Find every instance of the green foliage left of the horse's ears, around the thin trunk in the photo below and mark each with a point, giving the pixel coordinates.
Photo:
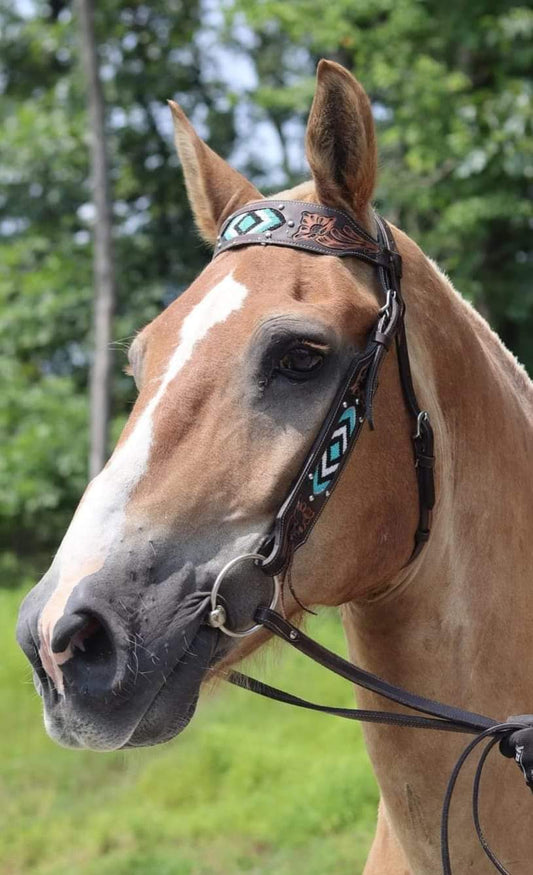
(148, 53)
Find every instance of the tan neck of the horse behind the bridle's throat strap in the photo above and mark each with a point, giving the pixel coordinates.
(457, 625)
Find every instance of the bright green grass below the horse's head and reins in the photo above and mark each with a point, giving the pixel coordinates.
(251, 786)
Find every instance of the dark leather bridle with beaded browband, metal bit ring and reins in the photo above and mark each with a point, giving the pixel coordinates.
(322, 230)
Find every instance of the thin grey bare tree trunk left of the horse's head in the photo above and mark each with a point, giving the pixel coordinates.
(104, 270)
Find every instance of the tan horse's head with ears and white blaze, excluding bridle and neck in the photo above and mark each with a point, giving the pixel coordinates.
(234, 380)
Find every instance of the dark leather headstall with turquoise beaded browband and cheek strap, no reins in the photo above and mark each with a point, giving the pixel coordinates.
(327, 231)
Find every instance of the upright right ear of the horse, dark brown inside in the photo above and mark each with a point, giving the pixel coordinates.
(340, 140)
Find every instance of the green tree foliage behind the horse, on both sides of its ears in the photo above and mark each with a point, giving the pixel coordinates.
(452, 98)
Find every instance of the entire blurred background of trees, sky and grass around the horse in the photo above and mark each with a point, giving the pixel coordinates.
(250, 787)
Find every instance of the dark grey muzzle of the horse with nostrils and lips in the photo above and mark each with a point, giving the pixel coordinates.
(113, 675)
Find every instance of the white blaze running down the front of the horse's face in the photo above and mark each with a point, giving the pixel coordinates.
(99, 520)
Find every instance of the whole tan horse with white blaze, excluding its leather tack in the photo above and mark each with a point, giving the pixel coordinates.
(234, 380)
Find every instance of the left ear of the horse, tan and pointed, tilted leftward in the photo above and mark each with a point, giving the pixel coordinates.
(214, 188)
